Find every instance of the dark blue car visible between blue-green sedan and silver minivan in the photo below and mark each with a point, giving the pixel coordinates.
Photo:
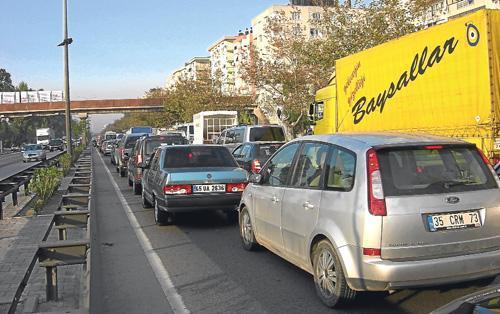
(252, 156)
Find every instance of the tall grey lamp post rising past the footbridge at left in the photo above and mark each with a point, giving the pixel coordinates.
(66, 42)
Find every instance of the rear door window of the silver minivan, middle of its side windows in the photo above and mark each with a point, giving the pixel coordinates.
(310, 165)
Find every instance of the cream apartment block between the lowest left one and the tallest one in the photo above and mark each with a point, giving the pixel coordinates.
(222, 63)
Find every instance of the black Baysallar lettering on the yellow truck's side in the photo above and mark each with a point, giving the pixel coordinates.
(421, 62)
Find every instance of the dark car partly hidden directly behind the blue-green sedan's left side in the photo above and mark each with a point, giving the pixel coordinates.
(143, 149)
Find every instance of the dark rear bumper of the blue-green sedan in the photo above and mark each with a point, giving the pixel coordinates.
(193, 202)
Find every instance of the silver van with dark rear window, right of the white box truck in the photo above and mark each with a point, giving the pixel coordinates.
(234, 136)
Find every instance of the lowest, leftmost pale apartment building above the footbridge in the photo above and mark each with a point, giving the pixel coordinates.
(195, 69)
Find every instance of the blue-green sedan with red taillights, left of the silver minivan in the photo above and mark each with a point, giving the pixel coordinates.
(186, 178)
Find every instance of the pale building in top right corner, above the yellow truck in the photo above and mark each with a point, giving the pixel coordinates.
(440, 11)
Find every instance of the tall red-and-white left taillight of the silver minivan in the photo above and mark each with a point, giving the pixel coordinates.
(376, 200)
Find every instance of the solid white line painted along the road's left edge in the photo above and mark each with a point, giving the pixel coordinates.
(174, 298)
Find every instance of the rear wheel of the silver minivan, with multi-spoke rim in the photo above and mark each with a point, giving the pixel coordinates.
(329, 278)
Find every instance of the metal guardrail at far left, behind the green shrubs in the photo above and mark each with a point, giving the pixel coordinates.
(11, 184)
